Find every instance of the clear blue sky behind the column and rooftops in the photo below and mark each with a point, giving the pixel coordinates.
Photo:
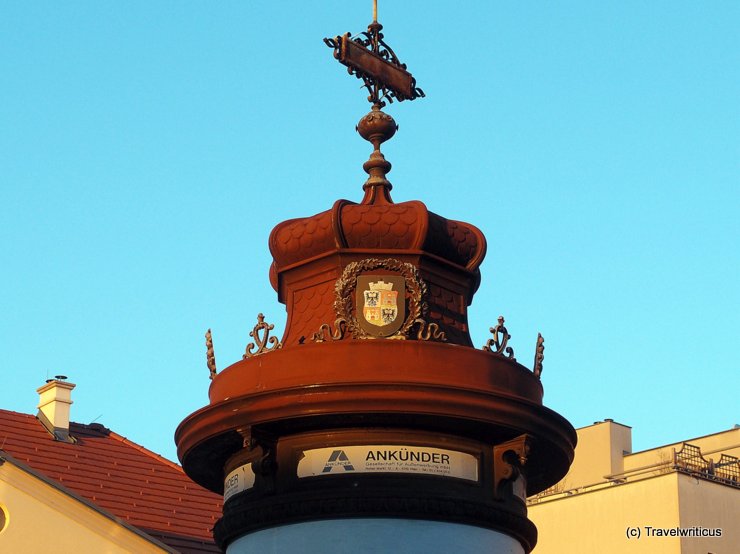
(148, 148)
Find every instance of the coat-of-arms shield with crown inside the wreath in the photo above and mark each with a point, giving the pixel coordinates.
(381, 303)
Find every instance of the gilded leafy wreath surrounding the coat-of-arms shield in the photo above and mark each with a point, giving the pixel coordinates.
(344, 303)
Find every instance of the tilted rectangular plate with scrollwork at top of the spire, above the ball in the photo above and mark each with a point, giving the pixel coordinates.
(368, 57)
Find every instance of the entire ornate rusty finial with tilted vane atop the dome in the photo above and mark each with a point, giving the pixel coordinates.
(369, 58)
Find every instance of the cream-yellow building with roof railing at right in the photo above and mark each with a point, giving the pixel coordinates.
(681, 498)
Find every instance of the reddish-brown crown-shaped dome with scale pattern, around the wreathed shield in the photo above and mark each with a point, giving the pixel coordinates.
(314, 250)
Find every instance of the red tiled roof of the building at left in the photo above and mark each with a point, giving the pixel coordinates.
(134, 484)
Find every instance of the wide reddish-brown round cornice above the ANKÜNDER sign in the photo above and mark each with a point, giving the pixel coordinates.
(425, 386)
